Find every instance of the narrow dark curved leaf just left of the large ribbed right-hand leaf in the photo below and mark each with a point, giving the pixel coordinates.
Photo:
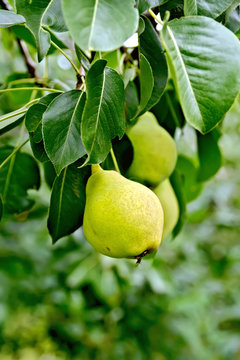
(151, 48)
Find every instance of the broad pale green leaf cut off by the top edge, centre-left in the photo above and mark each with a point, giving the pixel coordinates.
(101, 25)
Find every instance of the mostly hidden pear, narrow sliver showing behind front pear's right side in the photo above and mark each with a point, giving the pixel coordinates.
(168, 199)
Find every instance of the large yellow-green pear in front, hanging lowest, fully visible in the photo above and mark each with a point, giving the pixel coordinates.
(122, 218)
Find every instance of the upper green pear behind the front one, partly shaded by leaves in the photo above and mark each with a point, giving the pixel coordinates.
(155, 152)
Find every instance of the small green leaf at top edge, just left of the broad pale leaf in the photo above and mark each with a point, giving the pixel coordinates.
(53, 17)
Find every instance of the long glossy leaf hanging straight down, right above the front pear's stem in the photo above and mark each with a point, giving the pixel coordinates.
(103, 116)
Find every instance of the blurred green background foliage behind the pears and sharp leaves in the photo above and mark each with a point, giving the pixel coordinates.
(67, 302)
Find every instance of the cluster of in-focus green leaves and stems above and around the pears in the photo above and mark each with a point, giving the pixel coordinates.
(184, 68)
